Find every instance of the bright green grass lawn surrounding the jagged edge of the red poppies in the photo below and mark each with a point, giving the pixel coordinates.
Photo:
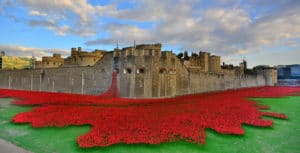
(283, 137)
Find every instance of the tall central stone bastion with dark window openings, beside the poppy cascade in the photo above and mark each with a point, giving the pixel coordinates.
(151, 76)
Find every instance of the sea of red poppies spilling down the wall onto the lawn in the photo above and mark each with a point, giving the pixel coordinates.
(152, 121)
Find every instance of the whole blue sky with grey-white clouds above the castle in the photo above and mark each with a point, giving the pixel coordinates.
(261, 31)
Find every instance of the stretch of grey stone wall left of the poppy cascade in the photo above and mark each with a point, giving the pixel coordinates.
(88, 80)
